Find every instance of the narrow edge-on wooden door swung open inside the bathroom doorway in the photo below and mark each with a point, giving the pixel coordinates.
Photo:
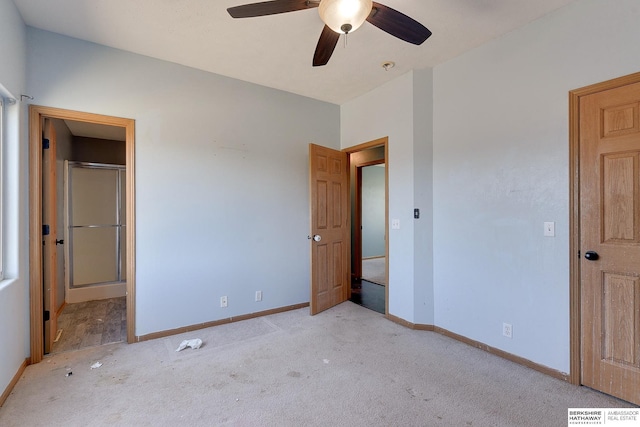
(49, 219)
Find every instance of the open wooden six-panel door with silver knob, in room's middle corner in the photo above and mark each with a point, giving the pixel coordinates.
(330, 227)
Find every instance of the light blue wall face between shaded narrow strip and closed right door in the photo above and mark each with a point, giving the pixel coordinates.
(501, 170)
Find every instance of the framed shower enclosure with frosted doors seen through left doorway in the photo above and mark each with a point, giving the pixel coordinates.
(95, 231)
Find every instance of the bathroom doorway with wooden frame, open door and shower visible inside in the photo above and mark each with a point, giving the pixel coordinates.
(64, 142)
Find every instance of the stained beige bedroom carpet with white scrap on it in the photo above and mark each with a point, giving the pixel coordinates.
(347, 366)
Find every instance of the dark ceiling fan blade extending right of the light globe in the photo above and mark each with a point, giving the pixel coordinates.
(398, 24)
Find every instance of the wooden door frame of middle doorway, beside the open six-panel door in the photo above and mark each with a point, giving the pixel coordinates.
(380, 142)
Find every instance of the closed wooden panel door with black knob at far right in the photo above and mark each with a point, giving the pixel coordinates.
(610, 241)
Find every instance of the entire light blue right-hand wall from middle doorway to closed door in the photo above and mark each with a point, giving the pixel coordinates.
(487, 162)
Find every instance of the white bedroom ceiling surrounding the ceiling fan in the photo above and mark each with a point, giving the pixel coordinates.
(276, 51)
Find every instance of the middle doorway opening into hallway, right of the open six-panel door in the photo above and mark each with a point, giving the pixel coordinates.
(369, 207)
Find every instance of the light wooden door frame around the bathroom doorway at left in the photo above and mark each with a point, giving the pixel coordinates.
(36, 120)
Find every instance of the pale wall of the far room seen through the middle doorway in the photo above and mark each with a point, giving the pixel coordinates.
(373, 210)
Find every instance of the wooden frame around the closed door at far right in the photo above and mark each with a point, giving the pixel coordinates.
(574, 215)
